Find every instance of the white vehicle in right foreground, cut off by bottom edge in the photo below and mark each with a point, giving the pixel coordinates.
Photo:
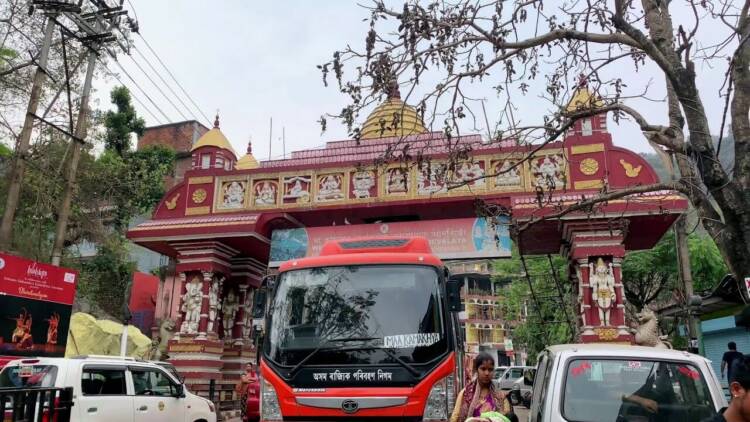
(620, 383)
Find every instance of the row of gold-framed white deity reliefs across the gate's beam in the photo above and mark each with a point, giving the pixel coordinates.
(481, 175)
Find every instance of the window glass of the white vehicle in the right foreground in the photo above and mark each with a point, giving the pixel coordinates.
(635, 390)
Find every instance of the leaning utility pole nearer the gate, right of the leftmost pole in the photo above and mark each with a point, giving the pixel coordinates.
(70, 174)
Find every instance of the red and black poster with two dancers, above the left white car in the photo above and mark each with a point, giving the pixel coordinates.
(36, 300)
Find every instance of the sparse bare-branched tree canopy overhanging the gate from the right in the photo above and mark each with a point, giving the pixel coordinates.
(450, 55)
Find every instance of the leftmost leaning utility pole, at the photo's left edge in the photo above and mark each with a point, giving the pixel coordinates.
(24, 140)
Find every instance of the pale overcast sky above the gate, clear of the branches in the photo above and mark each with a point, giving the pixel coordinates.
(255, 60)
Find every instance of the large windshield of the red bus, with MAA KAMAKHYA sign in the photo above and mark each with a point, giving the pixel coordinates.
(370, 314)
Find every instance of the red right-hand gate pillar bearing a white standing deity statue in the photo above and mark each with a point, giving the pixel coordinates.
(596, 257)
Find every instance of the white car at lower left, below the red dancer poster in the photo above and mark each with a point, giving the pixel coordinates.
(112, 389)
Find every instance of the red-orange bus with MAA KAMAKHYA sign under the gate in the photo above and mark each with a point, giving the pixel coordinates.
(368, 329)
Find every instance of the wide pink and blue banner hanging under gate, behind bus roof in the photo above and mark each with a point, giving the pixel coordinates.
(460, 238)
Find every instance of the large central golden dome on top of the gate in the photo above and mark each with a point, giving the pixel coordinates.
(380, 123)
